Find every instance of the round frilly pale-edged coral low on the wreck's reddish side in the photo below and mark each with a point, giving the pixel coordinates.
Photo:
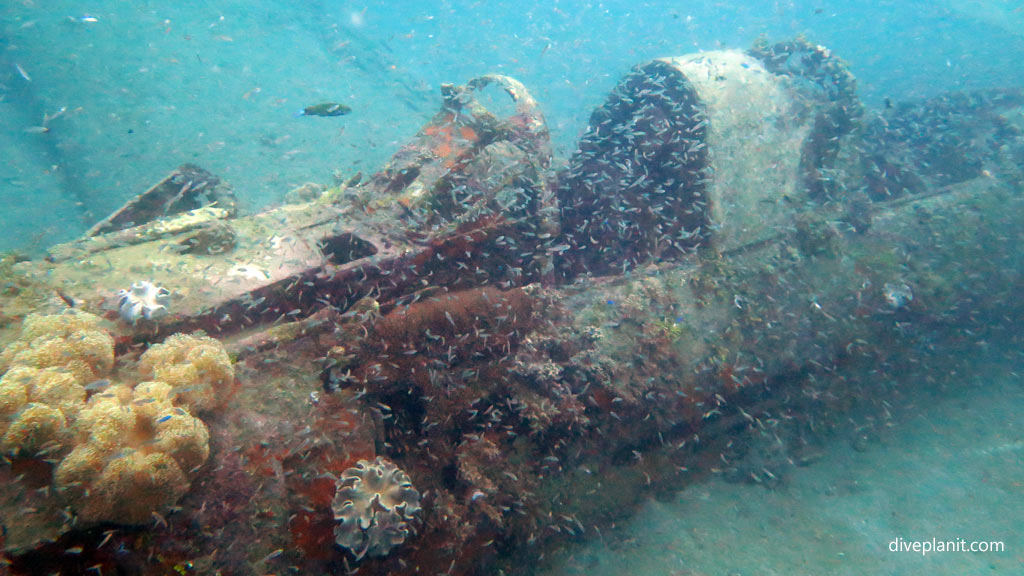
(375, 507)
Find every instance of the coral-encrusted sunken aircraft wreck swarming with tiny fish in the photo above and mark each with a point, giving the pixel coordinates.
(480, 354)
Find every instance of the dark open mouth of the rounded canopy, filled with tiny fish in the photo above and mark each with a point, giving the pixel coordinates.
(636, 187)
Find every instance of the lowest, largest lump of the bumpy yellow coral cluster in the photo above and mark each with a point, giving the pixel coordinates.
(137, 456)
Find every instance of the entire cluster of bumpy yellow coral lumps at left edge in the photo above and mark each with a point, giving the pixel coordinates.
(121, 452)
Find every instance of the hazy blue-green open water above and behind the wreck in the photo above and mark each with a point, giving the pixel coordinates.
(147, 87)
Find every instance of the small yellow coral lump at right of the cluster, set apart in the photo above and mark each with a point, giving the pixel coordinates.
(197, 367)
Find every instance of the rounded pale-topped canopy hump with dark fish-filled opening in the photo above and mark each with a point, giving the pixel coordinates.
(716, 149)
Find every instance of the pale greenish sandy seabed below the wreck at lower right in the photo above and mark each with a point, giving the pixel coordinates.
(952, 468)
